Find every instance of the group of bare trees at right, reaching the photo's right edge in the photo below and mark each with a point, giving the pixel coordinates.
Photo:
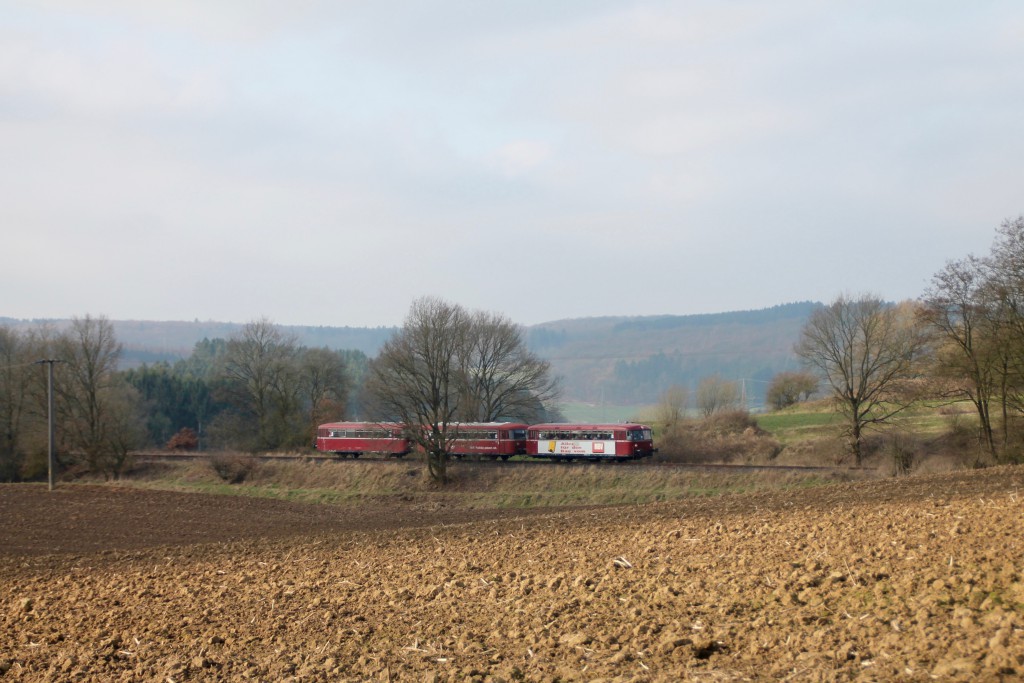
(963, 340)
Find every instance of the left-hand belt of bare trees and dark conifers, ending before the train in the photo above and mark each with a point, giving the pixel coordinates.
(258, 391)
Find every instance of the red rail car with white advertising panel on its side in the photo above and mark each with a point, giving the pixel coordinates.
(590, 442)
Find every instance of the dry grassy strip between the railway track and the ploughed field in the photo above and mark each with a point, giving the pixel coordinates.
(350, 483)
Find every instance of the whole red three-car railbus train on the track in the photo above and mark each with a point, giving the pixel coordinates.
(497, 440)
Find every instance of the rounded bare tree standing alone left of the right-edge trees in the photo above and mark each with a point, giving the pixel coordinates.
(868, 352)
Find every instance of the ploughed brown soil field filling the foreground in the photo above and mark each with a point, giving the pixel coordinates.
(901, 580)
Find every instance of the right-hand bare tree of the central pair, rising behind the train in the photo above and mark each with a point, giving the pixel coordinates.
(503, 379)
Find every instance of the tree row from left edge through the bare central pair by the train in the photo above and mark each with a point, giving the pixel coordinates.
(260, 391)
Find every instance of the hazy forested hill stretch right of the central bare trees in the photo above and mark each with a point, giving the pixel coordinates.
(631, 361)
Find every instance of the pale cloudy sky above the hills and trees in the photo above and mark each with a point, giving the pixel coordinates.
(328, 162)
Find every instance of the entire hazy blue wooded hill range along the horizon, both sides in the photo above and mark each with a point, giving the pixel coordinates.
(610, 361)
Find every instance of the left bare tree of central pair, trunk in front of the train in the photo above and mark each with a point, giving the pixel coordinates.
(416, 378)
